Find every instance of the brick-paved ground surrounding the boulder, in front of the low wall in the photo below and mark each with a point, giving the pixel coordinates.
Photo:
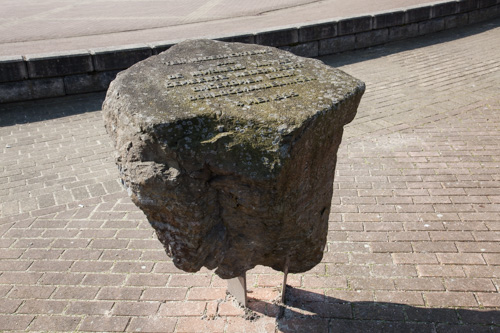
(414, 240)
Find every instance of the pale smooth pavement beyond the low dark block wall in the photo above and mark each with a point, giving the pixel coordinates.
(28, 27)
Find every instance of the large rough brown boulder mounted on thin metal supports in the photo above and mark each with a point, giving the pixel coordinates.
(238, 171)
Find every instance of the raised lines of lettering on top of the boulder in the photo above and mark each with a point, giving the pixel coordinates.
(231, 78)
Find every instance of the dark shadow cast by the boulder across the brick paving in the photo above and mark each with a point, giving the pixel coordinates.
(307, 311)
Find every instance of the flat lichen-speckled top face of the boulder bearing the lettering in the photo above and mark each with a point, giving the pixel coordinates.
(232, 81)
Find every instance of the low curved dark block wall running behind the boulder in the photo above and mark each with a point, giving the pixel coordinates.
(49, 75)
